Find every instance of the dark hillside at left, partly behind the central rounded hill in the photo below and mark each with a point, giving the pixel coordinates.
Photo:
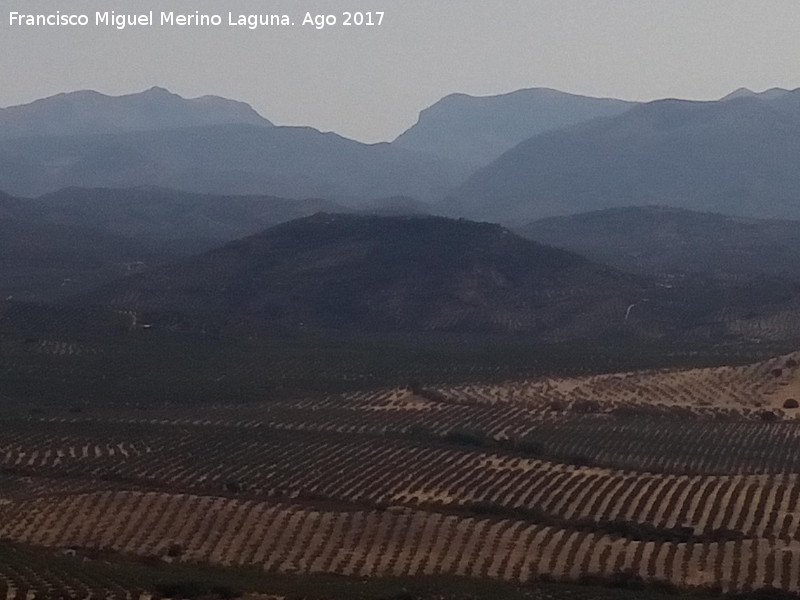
(75, 239)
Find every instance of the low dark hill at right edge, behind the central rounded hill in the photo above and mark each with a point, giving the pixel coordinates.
(670, 242)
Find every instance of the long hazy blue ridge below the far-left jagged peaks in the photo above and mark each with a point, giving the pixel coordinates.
(292, 162)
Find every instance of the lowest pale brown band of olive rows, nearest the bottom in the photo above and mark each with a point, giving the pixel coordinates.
(298, 539)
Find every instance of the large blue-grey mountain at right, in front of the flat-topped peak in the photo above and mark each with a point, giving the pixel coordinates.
(736, 157)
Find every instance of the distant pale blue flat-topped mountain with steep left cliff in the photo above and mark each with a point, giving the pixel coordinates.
(477, 130)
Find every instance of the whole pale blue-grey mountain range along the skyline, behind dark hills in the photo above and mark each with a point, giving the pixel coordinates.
(559, 153)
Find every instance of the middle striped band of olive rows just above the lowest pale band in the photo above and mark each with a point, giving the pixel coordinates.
(379, 473)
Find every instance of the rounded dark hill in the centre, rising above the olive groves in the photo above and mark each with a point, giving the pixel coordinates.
(386, 274)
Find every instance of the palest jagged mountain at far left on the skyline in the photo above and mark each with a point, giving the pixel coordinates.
(89, 112)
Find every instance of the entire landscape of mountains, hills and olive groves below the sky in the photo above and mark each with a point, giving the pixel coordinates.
(243, 360)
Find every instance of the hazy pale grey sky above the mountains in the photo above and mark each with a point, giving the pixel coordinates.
(369, 83)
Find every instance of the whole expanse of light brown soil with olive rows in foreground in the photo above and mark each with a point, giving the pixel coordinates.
(691, 477)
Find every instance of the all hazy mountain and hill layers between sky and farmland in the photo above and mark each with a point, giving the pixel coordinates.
(416, 274)
